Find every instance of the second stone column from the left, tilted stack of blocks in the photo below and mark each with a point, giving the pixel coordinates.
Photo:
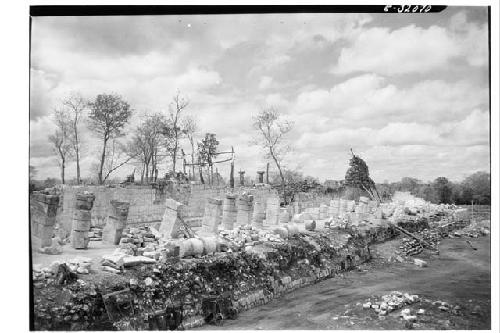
(82, 220)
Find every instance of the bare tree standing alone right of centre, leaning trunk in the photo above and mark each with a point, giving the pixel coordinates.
(271, 131)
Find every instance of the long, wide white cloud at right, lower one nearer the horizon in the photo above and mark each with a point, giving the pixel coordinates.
(372, 100)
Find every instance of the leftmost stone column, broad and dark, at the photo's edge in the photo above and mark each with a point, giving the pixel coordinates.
(43, 210)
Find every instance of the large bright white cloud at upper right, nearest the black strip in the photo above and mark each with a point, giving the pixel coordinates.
(413, 49)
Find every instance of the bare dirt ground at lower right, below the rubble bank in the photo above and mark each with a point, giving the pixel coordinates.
(459, 276)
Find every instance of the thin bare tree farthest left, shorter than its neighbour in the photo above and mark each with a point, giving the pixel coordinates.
(61, 139)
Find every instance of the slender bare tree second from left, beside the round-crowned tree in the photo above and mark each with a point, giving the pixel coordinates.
(75, 105)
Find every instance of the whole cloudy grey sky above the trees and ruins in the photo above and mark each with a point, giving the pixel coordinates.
(409, 93)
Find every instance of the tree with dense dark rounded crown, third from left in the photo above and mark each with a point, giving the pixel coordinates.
(108, 116)
